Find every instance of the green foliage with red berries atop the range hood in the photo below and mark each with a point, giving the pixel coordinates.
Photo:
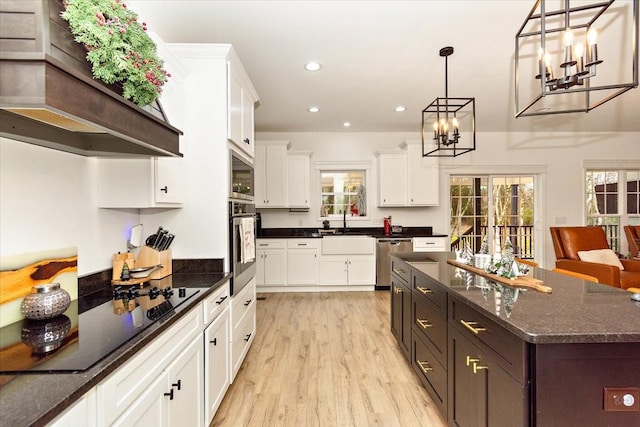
(119, 48)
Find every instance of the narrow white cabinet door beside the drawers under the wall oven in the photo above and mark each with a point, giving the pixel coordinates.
(216, 364)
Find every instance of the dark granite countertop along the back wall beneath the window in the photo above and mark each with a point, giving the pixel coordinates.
(377, 232)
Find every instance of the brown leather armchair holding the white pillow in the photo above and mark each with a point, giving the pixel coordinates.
(568, 241)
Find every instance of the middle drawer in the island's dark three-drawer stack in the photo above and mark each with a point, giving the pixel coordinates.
(431, 324)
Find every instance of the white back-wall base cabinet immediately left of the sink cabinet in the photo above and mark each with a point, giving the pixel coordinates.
(303, 263)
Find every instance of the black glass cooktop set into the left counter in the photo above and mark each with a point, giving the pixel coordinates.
(87, 332)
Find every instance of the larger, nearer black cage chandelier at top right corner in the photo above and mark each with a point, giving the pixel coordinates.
(570, 36)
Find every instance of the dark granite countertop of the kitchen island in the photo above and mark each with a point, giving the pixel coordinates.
(577, 311)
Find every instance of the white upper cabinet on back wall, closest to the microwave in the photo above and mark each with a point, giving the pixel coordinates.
(271, 174)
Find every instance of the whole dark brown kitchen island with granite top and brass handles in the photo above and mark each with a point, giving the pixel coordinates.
(496, 355)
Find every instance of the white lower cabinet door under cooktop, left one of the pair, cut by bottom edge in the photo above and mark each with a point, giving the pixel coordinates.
(150, 409)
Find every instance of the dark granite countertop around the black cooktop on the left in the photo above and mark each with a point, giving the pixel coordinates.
(34, 399)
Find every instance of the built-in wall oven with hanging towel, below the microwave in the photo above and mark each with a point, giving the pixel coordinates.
(242, 267)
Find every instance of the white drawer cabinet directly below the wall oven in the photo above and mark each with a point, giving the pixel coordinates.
(243, 325)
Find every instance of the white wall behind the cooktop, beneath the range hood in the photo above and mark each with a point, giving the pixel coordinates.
(48, 201)
